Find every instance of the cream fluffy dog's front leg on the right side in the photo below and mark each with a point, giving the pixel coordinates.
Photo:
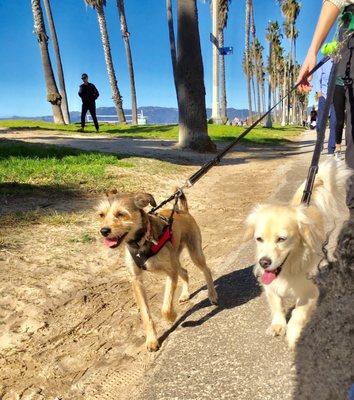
(300, 315)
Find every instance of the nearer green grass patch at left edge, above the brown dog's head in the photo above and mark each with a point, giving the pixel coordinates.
(26, 167)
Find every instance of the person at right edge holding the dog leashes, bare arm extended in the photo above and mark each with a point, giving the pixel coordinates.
(330, 11)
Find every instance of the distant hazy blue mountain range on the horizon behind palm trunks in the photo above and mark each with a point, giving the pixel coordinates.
(155, 115)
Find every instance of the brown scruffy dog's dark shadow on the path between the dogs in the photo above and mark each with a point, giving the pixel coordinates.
(234, 289)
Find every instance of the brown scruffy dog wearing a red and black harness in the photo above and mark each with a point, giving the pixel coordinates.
(124, 222)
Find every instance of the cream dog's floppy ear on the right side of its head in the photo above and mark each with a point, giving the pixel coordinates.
(311, 234)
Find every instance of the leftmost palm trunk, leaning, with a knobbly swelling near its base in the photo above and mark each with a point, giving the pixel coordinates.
(53, 95)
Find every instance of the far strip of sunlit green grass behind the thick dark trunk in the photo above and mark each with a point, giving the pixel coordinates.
(217, 132)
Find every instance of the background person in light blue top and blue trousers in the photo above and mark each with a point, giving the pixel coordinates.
(320, 85)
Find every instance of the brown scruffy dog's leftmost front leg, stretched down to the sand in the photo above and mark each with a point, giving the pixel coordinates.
(152, 343)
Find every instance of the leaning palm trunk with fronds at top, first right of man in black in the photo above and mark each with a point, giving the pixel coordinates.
(98, 5)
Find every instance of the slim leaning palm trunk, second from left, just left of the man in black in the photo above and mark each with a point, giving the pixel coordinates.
(62, 90)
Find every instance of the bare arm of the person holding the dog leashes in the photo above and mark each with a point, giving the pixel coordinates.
(329, 14)
